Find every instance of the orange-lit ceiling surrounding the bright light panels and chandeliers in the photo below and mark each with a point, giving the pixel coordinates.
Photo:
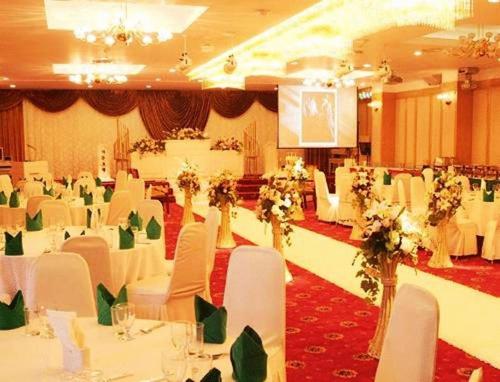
(29, 49)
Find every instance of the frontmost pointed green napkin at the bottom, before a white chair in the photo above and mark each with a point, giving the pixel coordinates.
(248, 357)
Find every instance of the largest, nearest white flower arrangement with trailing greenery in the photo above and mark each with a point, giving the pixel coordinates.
(390, 237)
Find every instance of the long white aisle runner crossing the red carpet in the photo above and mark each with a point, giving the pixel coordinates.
(468, 318)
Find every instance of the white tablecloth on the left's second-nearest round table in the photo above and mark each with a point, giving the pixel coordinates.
(127, 266)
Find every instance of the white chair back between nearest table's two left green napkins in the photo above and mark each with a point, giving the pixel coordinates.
(62, 281)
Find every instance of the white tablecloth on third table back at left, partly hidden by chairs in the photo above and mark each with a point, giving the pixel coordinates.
(17, 216)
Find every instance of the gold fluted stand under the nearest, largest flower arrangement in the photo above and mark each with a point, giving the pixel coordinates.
(389, 280)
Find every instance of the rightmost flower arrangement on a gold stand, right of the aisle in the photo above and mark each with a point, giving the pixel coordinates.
(445, 199)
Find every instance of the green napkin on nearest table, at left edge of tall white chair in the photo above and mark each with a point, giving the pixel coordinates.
(215, 320)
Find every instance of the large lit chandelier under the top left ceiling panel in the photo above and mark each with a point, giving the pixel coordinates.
(122, 29)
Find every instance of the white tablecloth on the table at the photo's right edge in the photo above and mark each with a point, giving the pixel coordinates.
(481, 212)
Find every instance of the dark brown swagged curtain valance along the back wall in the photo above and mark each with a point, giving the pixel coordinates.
(160, 110)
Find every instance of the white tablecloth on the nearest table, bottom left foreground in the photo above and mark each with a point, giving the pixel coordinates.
(34, 359)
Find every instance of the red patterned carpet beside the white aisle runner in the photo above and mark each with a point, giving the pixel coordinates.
(328, 328)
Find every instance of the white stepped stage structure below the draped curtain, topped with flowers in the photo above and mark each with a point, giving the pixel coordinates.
(168, 164)
